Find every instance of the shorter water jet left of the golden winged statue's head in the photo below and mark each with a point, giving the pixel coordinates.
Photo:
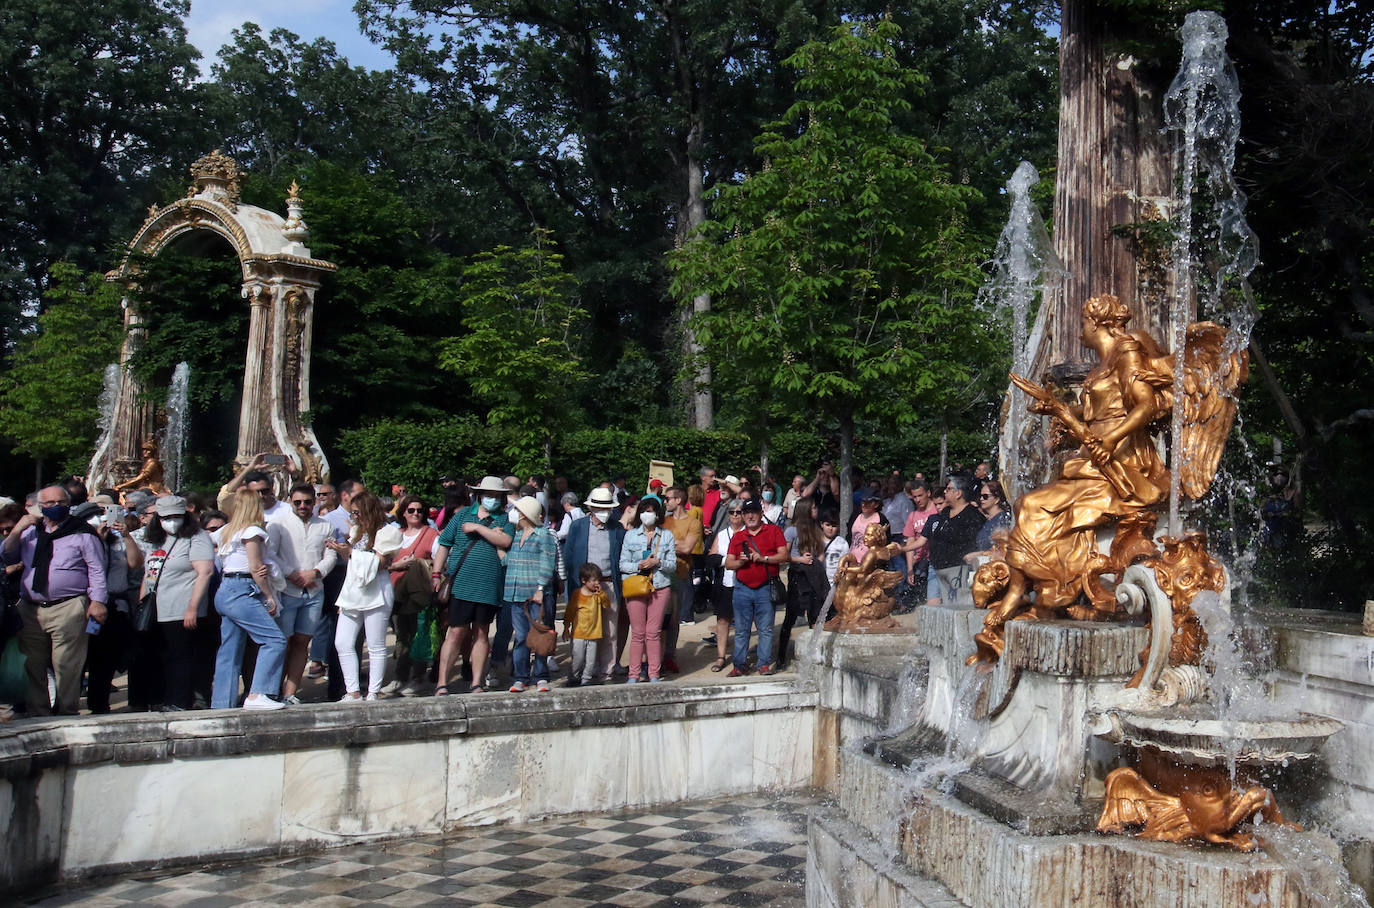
(1023, 258)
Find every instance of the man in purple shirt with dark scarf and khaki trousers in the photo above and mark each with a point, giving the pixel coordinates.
(63, 589)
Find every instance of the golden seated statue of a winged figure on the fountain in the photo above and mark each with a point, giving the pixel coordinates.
(1118, 477)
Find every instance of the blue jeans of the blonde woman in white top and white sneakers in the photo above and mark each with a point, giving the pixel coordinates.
(245, 616)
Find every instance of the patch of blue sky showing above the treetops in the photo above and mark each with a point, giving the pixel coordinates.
(211, 23)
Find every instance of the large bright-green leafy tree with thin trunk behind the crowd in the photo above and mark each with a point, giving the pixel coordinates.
(843, 258)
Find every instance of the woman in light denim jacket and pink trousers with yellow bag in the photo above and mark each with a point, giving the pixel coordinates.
(649, 550)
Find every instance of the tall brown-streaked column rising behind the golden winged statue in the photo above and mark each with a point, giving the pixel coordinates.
(1114, 170)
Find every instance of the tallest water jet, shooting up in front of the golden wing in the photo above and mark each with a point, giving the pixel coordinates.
(1215, 249)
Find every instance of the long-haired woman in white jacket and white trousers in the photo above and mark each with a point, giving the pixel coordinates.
(366, 600)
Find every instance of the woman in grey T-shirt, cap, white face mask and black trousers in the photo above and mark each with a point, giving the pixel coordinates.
(183, 587)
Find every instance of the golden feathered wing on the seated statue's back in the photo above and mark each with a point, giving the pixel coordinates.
(1211, 378)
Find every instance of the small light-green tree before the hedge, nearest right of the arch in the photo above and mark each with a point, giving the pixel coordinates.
(520, 351)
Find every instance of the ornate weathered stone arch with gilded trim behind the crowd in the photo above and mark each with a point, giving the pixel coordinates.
(281, 280)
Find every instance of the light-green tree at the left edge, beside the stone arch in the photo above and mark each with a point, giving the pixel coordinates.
(49, 396)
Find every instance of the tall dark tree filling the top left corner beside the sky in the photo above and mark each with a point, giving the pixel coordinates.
(94, 98)
